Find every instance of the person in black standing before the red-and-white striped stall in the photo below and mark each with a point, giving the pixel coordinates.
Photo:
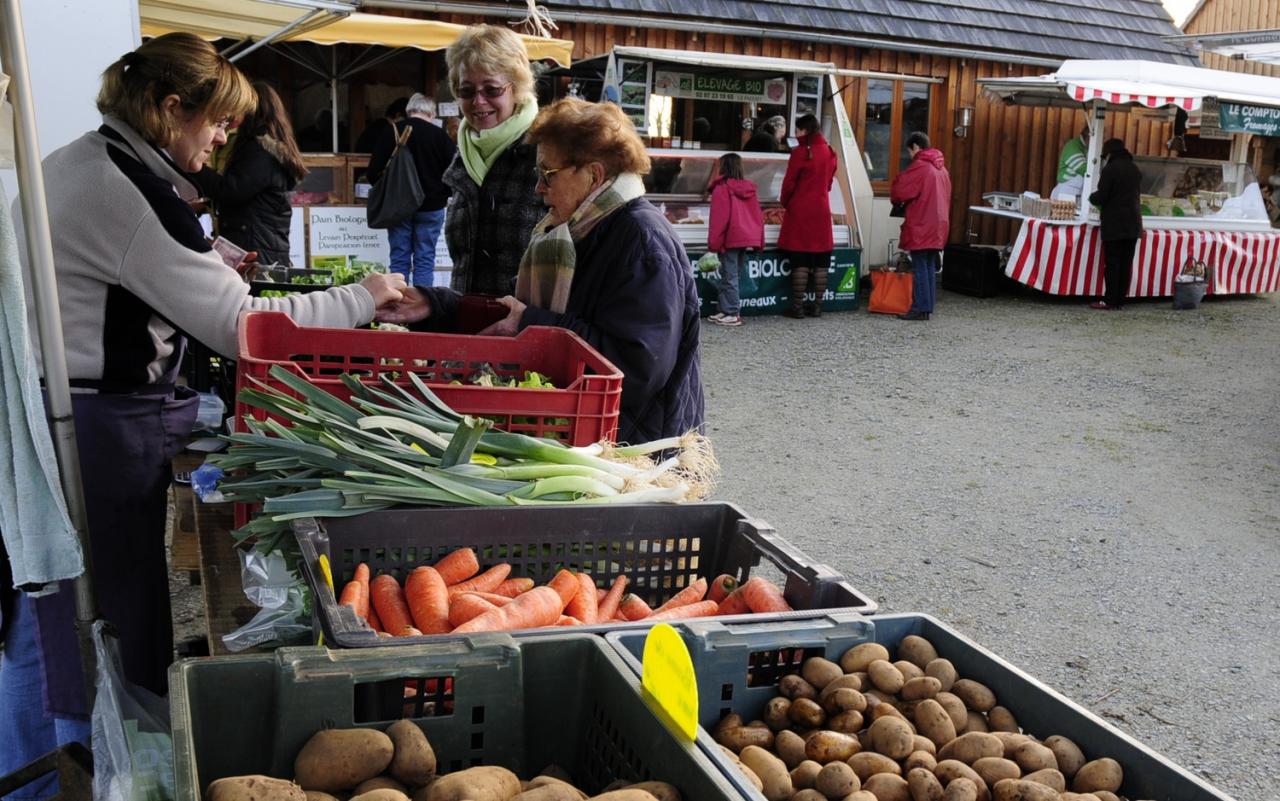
(1119, 198)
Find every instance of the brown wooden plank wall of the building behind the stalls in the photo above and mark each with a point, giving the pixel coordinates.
(1007, 149)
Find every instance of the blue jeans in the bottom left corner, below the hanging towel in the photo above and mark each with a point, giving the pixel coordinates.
(26, 731)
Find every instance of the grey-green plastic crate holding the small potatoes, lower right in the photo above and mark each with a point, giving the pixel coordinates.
(738, 669)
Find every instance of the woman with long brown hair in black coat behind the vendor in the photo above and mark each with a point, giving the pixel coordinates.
(253, 195)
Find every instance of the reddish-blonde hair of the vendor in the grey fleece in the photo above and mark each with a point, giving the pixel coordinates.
(184, 65)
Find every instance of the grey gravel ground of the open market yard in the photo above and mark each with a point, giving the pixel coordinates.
(1092, 496)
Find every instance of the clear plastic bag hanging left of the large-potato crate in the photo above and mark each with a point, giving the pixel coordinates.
(132, 745)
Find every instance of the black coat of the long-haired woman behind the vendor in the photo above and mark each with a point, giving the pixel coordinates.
(253, 198)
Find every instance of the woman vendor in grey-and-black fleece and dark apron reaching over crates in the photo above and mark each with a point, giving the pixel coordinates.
(136, 277)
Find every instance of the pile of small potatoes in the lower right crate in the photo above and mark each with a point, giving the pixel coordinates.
(874, 730)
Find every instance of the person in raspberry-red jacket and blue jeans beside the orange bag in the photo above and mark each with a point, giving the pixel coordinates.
(925, 187)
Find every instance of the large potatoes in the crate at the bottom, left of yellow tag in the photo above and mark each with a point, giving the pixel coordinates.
(364, 765)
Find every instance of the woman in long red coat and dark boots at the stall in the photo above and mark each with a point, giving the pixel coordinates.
(807, 226)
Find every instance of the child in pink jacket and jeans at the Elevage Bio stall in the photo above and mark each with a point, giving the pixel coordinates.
(737, 227)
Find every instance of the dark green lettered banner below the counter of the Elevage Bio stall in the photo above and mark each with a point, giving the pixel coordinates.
(765, 283)
